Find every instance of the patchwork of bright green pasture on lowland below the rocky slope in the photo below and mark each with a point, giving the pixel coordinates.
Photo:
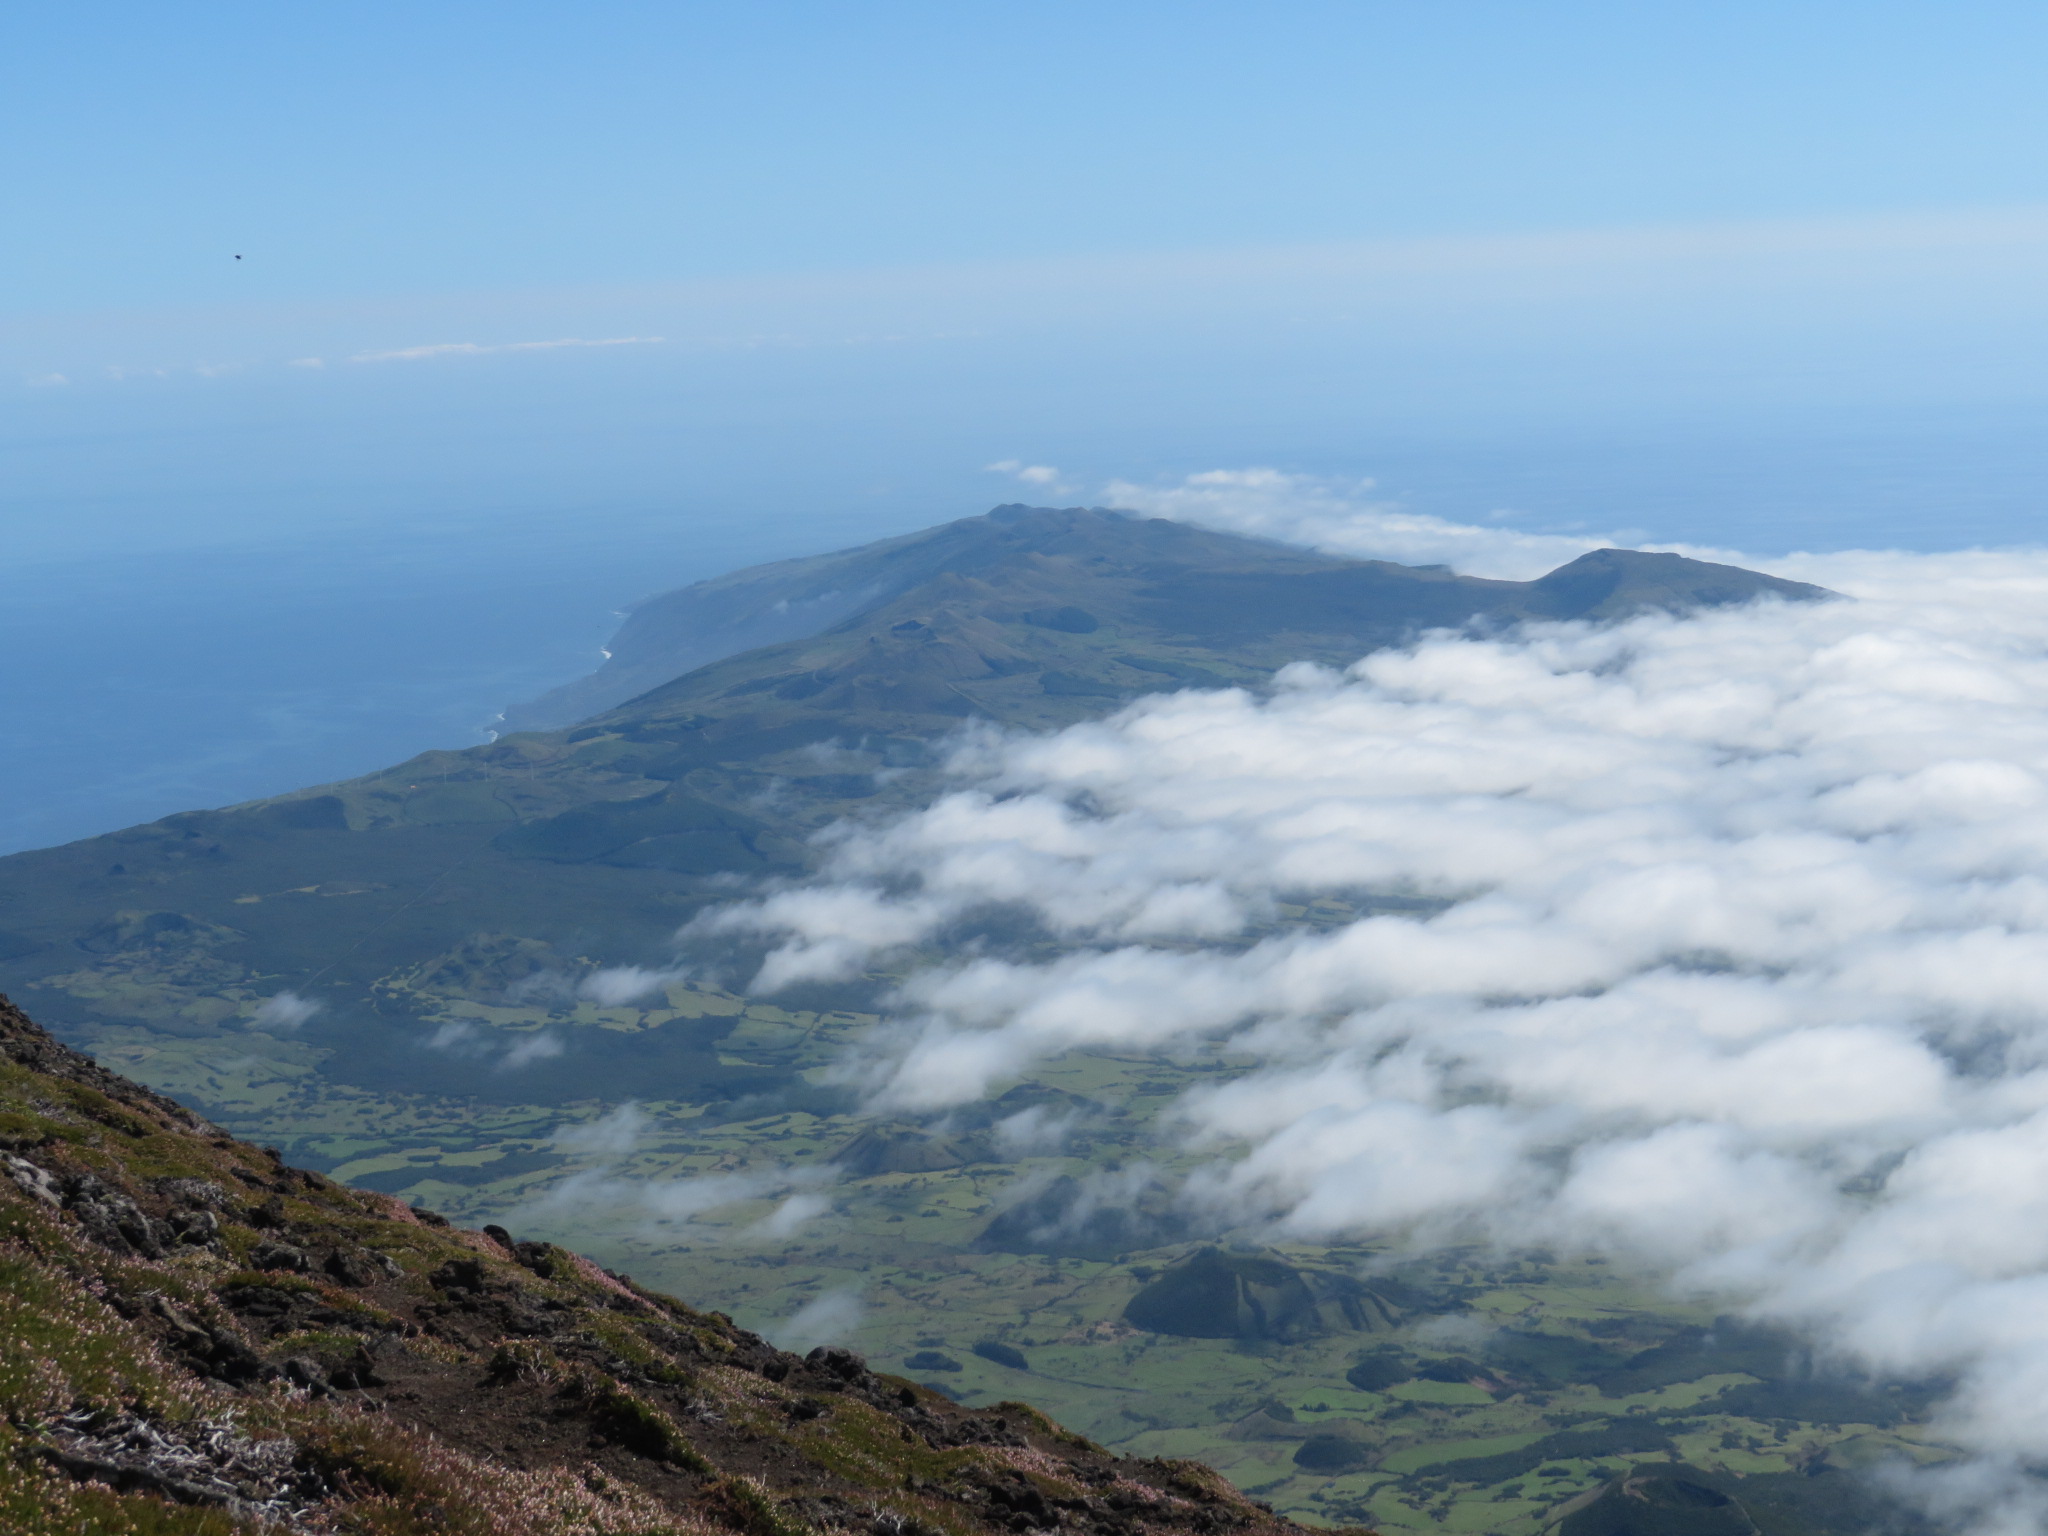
(1547, 1414)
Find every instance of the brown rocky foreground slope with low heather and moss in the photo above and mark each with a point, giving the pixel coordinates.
(200, 1340)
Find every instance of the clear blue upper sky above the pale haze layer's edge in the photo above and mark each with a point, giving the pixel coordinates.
(400, 151)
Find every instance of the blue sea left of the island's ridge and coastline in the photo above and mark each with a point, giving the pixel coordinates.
(142, 685)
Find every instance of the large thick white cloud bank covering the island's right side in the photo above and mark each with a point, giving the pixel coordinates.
(1725, 945)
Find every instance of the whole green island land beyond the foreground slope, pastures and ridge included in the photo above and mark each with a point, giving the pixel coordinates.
(435, 921)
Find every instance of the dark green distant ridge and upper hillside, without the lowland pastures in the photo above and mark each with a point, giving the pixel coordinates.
(460, 876)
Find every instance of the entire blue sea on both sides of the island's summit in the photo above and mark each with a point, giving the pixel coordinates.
(255, 660)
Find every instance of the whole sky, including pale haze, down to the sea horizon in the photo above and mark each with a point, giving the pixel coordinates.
(1410, 220)
